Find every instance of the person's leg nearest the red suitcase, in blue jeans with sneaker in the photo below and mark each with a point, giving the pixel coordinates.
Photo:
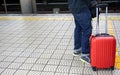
(87, 31)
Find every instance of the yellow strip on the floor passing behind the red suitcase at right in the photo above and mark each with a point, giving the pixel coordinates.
(117, 59)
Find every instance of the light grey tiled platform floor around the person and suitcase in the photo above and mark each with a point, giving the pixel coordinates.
(42, 44)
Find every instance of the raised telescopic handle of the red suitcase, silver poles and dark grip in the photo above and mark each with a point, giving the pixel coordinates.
(97, 15)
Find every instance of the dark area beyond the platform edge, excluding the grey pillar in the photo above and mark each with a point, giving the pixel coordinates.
(47, 6)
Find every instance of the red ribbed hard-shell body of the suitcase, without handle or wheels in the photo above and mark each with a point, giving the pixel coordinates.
(103, 52)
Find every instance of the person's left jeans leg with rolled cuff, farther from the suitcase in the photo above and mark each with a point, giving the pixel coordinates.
(77, 38)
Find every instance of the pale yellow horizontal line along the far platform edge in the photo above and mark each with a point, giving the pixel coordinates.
(66, 18)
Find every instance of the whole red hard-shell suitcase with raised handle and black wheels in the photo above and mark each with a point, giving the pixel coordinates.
(103, 48)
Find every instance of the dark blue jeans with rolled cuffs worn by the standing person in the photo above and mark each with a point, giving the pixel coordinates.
(83, 30)
